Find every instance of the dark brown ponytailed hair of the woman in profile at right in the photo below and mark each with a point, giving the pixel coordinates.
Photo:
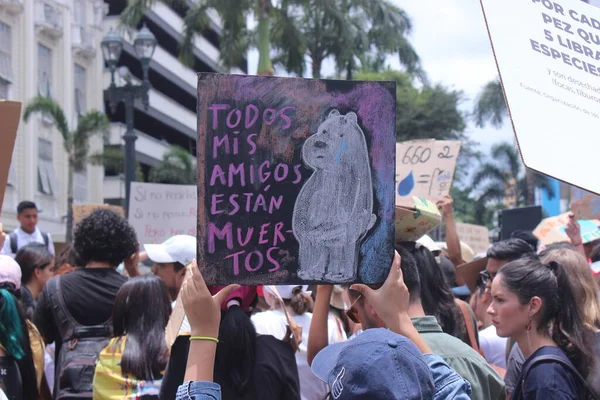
(560, 316)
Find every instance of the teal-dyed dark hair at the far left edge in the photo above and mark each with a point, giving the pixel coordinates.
(11, 332)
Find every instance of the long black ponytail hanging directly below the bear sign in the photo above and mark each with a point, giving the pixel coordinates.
(236, 352)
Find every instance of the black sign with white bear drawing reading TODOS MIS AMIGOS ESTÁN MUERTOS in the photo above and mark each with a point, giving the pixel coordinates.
(295, 180)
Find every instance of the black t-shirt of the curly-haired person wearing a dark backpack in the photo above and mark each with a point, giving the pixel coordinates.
(89, 294)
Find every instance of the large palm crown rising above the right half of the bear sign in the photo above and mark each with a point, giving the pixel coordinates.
(347, 30)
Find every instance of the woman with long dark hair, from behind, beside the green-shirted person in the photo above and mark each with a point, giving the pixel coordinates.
(437, 297)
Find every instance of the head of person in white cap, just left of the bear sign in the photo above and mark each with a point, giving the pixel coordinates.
(170, 259)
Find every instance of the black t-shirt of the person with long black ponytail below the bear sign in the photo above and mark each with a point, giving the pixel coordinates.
(275, 372)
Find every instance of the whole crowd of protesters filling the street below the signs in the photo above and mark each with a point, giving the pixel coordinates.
(518, 321)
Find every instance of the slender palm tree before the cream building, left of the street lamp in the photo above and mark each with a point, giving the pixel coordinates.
(75, 142)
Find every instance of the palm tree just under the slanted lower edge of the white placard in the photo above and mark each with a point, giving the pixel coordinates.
(497, 181)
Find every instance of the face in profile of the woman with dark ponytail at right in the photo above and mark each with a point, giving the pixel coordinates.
(509, 316)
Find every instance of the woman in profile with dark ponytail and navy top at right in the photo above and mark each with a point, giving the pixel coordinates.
(534, 304)
